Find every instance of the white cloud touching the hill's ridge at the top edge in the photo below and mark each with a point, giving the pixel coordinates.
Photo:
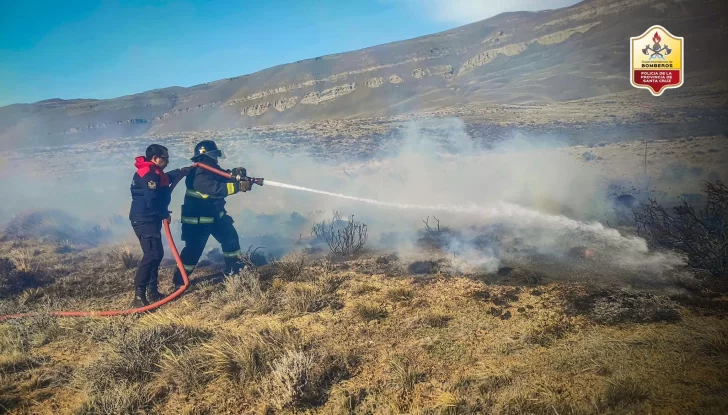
(468, 11)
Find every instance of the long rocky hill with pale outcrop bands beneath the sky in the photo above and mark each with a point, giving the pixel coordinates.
(514, 58)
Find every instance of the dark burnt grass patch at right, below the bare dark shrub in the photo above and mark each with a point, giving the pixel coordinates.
(620, 306)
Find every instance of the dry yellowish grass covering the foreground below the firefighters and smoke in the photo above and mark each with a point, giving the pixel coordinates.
(334, 341)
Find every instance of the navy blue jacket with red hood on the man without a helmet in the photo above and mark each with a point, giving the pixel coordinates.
(151, 192)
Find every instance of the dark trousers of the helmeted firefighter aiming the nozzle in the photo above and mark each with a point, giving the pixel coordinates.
(195, 237)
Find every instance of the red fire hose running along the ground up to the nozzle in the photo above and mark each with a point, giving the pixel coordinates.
(152, 306)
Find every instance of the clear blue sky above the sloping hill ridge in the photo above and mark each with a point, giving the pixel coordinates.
(105, 49)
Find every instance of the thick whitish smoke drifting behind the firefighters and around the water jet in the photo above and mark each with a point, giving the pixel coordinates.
(527, 200)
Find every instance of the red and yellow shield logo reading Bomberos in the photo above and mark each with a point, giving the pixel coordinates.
(656, 60)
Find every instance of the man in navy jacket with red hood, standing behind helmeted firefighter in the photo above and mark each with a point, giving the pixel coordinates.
(151, 193)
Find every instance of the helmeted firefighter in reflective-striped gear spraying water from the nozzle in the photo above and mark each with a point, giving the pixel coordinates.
(203, 210)
